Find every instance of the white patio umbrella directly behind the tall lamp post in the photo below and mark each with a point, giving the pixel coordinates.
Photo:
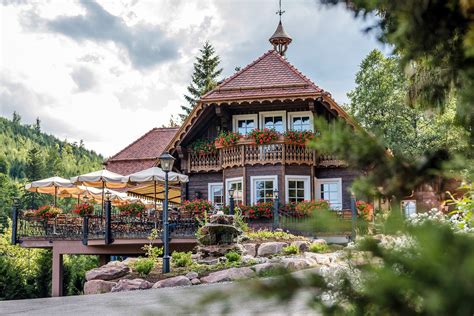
(153, 175)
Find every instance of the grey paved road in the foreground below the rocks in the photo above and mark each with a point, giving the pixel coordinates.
(169, 301)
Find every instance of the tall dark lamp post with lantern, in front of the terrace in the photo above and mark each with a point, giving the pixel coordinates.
(166, 163)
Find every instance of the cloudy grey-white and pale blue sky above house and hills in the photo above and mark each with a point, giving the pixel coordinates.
(106, 72)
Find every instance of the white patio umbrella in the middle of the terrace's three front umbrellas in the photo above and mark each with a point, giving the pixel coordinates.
(100, 179)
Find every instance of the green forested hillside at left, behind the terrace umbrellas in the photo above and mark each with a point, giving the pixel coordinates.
(28, 154)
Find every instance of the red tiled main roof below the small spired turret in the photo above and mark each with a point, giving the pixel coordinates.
(269, 75)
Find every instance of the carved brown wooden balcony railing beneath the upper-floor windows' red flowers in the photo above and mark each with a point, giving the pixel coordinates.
(247, 153)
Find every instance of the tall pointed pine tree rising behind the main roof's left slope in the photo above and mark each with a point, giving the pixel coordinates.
(204, 77)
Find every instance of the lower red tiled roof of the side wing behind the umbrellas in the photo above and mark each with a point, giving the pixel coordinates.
(142, 153)
